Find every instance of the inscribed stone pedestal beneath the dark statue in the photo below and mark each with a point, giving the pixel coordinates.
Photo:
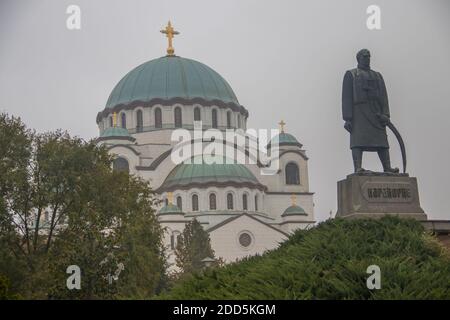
(377, 194)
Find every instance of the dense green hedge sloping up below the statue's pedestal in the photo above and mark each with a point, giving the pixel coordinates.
(330, 262)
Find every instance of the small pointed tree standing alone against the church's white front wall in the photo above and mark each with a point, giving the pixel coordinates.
(193, 246)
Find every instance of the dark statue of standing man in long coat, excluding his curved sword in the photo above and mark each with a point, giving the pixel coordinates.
(365, 110)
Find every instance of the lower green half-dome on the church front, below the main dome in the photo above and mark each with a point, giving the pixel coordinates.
(209, 171)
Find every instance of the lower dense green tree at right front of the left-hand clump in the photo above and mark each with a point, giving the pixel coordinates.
(125, 232)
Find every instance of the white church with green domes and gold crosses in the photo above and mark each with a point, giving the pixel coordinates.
(244, 211)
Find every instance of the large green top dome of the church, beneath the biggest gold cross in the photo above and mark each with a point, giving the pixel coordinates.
(171, 77)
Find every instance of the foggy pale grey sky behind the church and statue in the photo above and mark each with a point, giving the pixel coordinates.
(283, 59)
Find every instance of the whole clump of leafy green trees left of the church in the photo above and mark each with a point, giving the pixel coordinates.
(62, 204)
